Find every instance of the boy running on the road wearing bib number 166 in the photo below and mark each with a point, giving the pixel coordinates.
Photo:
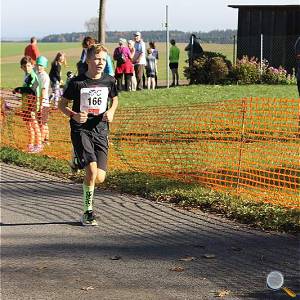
(89, 118)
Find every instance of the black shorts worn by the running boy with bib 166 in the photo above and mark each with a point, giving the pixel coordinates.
(90, 147)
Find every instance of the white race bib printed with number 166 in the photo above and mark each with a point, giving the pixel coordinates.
(94, 100)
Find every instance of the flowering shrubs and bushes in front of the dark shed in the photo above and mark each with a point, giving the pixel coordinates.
(214, 68)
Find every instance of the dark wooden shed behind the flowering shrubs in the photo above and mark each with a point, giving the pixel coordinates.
(280, 26)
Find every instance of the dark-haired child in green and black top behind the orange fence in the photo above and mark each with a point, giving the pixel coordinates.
(30, 104)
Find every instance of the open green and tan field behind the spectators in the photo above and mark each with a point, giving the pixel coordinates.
(11, 53)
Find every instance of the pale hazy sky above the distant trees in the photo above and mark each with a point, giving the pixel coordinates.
(26, 18)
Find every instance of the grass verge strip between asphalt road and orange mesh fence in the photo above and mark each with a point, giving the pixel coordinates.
(256, 214)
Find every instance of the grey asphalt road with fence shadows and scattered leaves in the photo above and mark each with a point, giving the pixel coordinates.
(140, 250)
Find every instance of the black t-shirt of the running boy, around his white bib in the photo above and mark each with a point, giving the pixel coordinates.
(73, 92)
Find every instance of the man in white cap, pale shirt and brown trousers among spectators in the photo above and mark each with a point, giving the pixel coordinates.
(139, 59)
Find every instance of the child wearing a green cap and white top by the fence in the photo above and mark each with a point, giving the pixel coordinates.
(44, 80)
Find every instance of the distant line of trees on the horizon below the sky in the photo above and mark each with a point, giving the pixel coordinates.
(214, 36)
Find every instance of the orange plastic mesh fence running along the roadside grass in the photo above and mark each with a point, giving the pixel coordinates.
(248, 146)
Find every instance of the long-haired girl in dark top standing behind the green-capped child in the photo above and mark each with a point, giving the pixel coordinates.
(55, 76)
